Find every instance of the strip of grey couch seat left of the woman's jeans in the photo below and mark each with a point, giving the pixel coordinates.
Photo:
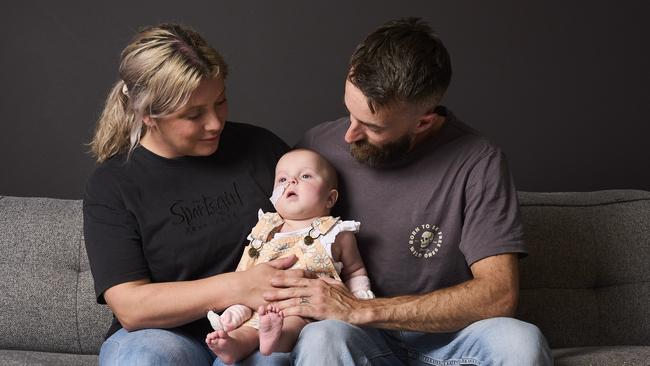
(22, 358)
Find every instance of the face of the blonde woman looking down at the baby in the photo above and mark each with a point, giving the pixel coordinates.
(195, 129)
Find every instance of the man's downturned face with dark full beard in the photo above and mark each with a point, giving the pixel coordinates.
(379, 137)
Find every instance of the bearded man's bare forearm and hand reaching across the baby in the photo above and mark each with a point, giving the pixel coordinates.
(493, 292)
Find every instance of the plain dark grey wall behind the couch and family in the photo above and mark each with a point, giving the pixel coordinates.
(561, 86)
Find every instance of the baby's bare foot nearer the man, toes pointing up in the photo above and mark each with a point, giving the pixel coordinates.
(277, 333)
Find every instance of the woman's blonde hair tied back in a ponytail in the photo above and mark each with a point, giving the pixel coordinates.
(159, 70)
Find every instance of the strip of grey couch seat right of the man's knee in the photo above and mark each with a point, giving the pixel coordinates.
(602, 356)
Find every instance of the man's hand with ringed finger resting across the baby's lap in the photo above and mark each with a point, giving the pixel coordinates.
(320, 298)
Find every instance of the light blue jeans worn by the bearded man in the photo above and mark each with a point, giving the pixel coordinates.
(496, 341)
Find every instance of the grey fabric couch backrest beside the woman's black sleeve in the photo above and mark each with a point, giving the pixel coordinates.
(46, 295)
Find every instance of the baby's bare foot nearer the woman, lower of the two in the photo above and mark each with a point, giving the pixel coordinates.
(234, 346)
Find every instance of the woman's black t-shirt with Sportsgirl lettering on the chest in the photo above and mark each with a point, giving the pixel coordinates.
(177, 219)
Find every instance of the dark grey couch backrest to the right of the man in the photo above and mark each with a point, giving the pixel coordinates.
(586, 281)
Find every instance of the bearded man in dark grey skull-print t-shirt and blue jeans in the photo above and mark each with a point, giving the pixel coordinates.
(440, 231)
